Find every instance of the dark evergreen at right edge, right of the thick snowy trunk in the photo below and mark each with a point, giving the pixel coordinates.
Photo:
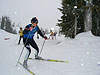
(96, 18)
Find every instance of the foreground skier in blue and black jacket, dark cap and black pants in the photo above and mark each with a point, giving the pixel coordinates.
(28, 40)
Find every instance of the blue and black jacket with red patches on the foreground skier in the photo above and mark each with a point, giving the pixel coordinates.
(30, 31)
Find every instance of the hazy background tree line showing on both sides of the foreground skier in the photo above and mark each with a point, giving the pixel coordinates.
(7, 25)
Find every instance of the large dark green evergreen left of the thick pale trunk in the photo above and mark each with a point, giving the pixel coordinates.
(72, 19)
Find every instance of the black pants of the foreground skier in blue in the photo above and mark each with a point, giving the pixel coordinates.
(28, 42)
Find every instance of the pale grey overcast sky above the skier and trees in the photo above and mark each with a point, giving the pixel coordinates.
(21, 11)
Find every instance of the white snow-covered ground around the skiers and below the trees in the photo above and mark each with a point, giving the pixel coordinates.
(83, 54)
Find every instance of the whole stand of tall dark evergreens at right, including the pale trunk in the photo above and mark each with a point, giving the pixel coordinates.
(79, 16)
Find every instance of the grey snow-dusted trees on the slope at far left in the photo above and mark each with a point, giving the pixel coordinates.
(7, 25)
